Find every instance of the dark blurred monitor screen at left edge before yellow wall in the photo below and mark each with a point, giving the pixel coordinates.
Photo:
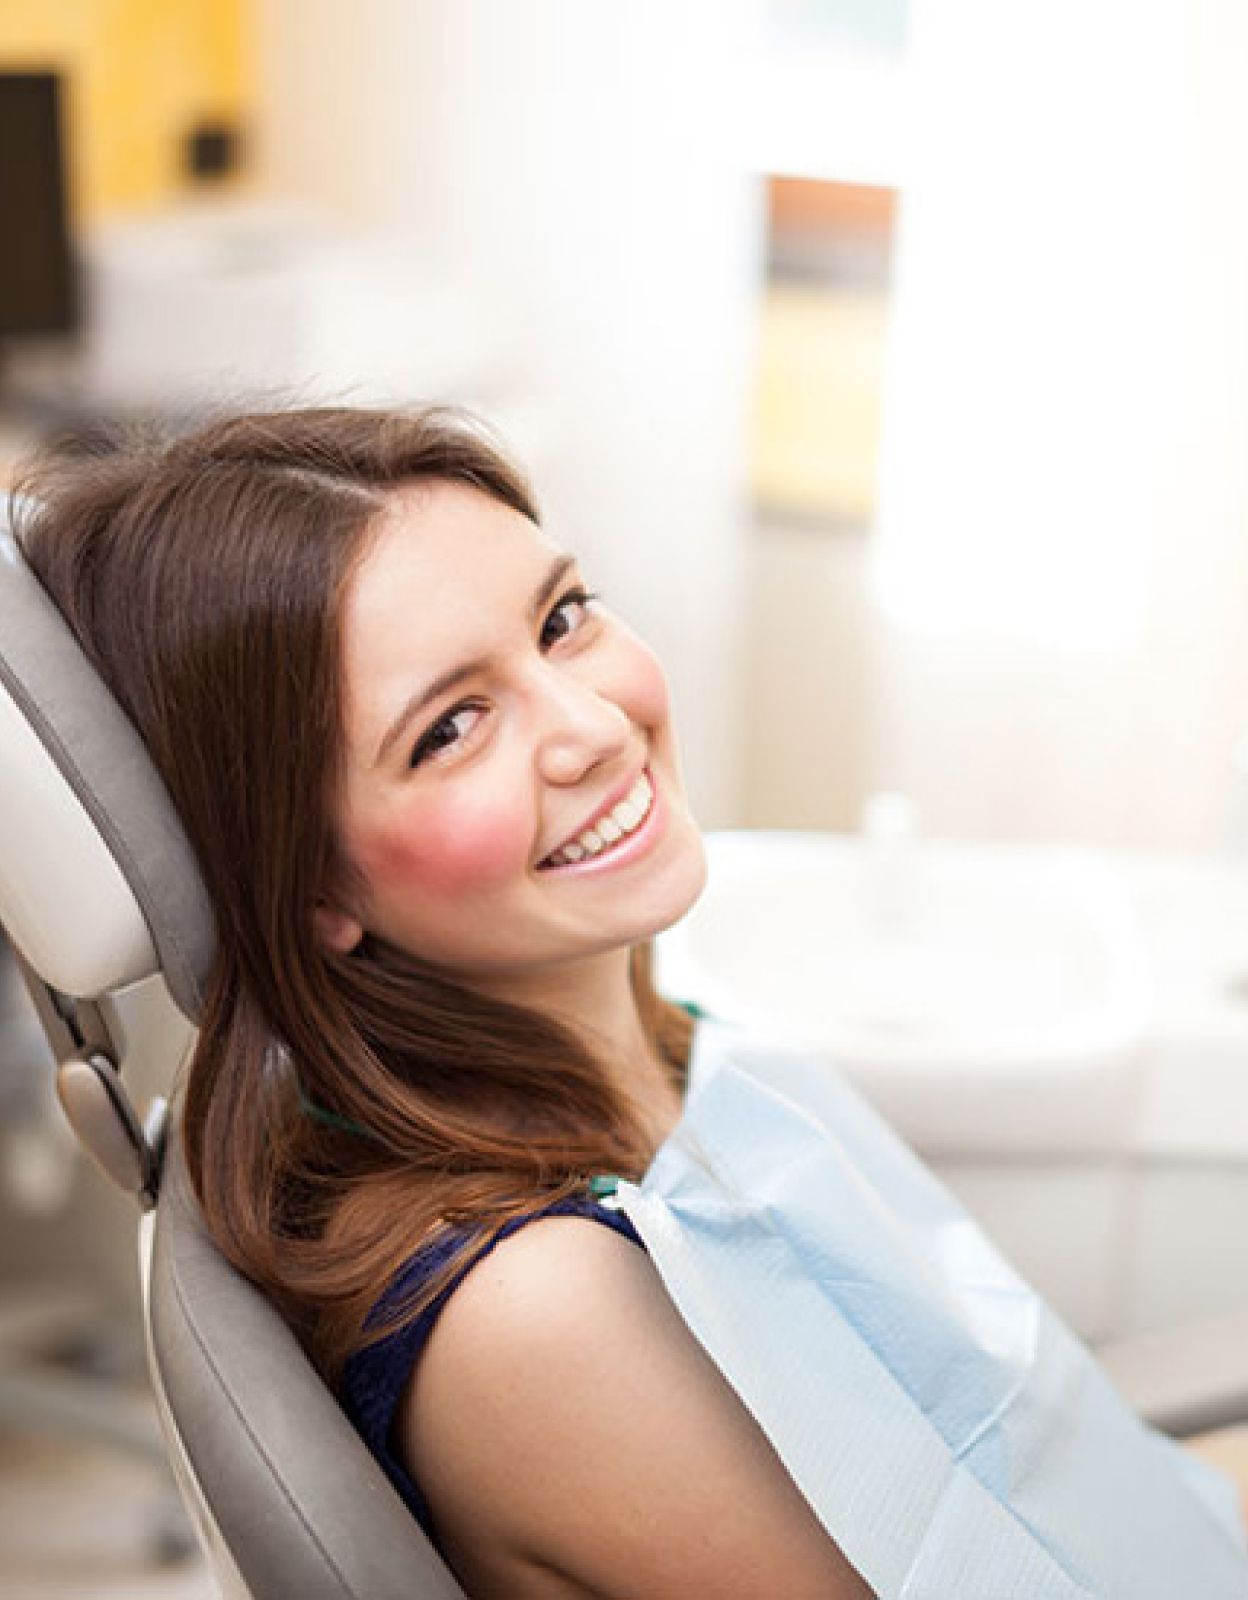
(38, 286)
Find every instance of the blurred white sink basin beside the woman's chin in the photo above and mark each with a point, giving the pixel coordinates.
(982, 993)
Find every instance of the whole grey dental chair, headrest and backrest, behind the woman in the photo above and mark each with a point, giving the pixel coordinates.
(98, 890)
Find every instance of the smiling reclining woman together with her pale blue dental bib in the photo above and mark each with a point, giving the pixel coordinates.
(434, 791)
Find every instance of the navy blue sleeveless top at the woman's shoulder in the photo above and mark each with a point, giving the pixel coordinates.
(375, 1378)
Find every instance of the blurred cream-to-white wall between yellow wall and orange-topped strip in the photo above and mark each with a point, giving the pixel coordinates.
(582, 162)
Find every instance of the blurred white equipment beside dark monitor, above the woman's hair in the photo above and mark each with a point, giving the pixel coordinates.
(268, 303)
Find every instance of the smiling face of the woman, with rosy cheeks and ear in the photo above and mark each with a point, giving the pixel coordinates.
(513, 794)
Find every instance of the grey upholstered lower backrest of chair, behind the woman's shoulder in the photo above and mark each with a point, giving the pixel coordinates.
(297, 1497)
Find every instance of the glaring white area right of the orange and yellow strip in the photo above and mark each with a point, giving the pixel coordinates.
(1063, 554)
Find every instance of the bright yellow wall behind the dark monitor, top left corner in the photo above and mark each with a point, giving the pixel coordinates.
(140, 74)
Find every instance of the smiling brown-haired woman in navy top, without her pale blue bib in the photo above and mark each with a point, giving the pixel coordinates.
(434, 790)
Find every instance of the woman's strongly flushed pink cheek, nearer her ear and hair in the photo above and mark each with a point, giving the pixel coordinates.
(449, 849)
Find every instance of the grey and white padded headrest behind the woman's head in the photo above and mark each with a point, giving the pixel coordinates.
(105, 889)
